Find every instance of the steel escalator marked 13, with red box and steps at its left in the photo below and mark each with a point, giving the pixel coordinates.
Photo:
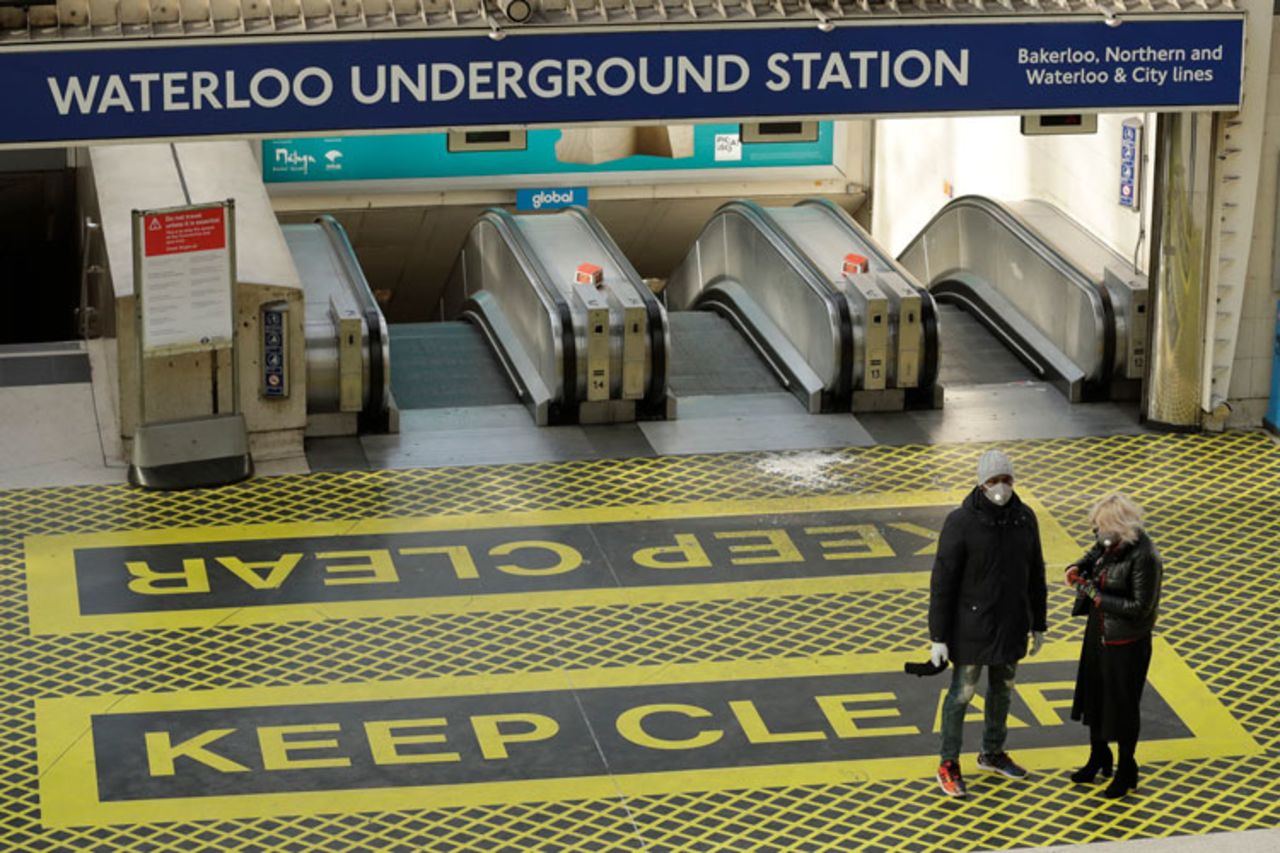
(833, 318)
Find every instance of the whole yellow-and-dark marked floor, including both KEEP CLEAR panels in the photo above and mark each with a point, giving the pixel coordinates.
(694, 653)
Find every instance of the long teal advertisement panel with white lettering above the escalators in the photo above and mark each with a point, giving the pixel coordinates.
(575, 152)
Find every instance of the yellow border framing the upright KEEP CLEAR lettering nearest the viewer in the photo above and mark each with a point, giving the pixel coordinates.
(68, 769)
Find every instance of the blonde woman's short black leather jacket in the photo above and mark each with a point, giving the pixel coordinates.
(1128, 581)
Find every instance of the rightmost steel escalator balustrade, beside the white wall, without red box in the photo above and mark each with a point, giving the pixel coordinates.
(1027, 294)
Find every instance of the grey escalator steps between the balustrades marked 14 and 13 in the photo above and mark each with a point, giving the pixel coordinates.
(710, 357)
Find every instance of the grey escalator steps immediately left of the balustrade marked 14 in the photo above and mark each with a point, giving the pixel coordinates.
(442, 366)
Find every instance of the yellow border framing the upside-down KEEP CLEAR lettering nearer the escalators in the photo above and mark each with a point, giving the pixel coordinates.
(52, 563)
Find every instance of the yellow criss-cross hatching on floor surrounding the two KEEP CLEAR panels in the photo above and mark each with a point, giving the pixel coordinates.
(1214, 507)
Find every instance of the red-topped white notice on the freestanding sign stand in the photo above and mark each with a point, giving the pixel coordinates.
(185, 279)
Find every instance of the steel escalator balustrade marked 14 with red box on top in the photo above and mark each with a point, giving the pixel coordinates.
(577, 331)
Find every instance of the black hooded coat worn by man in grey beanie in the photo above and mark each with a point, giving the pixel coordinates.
(988, 592)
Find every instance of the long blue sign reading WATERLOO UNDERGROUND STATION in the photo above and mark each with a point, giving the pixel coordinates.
(273, 86)
